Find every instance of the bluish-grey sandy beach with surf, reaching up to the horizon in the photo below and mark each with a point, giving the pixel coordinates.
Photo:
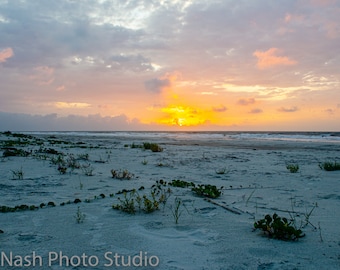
(70, 181)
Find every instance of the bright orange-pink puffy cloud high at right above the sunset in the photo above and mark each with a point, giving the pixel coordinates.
(269, 58)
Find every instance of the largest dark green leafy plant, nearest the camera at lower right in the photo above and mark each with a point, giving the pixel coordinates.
(278, 228)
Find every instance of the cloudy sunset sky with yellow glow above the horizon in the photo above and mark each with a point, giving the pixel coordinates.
(197, 65)
